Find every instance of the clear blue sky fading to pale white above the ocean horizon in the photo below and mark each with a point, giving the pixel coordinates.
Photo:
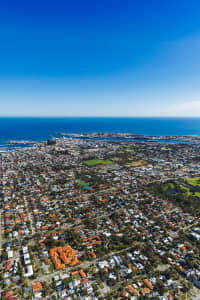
(100, 58)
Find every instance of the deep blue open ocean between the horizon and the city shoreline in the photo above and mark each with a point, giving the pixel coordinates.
(43, 128)
